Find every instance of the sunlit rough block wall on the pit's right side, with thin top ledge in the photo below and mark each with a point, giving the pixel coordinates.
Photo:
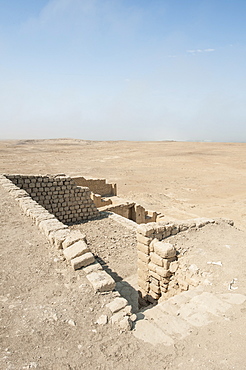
(158, 260)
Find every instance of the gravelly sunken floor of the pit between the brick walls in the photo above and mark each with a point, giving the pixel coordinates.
(115, 248)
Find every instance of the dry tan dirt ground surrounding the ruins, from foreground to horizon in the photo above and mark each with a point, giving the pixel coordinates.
(48, 312)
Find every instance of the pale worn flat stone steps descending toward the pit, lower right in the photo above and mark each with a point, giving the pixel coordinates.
(177, 317)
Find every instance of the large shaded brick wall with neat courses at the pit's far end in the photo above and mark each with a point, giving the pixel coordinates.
(59, 195)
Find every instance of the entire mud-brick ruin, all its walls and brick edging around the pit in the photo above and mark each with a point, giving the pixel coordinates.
(54, 203)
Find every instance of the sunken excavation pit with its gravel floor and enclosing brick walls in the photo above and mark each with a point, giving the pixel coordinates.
(136, 256)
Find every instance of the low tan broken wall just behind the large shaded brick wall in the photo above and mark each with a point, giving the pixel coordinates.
(97, 186)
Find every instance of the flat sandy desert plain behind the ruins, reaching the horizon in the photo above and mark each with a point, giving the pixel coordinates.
(179, 179)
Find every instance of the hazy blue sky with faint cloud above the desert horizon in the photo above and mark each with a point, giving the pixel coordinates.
(123, 69)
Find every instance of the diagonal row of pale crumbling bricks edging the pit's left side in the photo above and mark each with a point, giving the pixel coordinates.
(76, 251)
